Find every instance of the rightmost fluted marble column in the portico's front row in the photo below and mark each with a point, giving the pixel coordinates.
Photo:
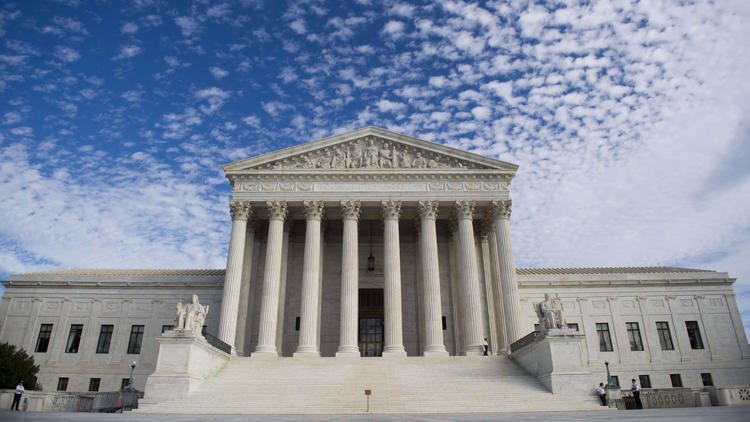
(508, 279)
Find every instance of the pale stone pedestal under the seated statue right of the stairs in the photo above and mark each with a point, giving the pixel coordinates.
(558, 360)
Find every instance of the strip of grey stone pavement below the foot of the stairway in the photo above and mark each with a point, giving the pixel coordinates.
(695, 414)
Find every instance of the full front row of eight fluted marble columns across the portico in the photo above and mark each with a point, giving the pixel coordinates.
(504, 284)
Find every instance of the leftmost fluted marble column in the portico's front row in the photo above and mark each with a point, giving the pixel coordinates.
(230, 301)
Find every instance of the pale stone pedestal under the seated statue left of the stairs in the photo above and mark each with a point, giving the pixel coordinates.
(183, 362)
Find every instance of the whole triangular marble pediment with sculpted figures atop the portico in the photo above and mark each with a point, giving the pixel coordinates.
(370, 148)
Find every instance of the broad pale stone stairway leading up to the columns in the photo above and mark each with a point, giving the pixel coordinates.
(398, 385)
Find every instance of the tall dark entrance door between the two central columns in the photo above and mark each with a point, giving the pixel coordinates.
(371, 322)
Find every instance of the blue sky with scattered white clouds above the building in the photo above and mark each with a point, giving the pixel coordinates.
(630, 121)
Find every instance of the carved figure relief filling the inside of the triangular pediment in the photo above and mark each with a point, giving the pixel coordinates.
(369, 152)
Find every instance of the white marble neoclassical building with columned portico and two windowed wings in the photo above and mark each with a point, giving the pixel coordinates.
(376, 244)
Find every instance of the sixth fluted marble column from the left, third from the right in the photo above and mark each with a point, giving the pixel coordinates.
(431, 300)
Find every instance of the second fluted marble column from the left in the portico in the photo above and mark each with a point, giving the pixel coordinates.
(269, 308)
